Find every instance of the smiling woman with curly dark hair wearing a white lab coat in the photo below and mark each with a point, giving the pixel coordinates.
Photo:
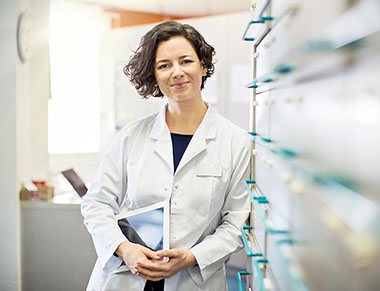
(187, 153)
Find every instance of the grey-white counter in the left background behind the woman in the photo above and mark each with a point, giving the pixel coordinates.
(57, 252)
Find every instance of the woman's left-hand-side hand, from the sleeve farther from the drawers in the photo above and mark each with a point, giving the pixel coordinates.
(133, 254)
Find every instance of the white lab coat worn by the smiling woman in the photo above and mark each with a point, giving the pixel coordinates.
(208, 202)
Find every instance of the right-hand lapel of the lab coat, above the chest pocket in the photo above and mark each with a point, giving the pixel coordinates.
(198, 143)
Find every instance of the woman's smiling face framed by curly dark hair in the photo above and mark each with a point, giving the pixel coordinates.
(178, 70)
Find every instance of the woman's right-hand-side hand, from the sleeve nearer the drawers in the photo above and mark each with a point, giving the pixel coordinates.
(178, 260)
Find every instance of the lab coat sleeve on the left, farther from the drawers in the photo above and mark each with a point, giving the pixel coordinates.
(103, 201)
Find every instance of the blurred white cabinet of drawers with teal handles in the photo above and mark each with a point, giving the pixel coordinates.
(315, 114)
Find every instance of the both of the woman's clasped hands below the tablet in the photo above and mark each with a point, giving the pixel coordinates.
(137, 258)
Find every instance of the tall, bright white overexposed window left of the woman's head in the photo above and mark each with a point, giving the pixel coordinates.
(74, 119)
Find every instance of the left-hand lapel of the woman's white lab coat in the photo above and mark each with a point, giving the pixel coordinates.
(161, 136)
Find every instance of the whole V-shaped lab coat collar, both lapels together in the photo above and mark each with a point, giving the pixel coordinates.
(161, 134)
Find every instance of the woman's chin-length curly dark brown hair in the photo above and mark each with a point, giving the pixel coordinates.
(140, 68)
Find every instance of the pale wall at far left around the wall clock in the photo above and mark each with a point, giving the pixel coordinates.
(24, 91)
